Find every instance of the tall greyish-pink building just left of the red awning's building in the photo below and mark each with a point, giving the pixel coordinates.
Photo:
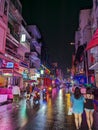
(82, 37)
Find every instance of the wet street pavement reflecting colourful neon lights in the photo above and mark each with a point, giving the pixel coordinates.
(48, 115)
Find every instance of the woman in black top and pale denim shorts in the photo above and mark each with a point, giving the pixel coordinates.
(89, 107)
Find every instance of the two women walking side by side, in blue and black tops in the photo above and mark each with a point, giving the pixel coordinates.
(84, 102)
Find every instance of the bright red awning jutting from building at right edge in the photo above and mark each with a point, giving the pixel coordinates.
(93, 42)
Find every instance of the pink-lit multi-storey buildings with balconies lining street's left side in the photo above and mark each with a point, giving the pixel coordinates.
(16, 41)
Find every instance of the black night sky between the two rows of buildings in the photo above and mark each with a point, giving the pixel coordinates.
(57, 21)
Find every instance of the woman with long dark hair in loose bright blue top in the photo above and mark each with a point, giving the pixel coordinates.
(77, 104)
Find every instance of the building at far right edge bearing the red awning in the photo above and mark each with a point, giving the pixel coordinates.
(92, 46)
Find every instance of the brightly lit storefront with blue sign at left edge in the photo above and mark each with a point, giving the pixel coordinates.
(8, 73)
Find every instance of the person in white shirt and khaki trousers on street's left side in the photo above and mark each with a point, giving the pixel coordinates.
(16, 94)
